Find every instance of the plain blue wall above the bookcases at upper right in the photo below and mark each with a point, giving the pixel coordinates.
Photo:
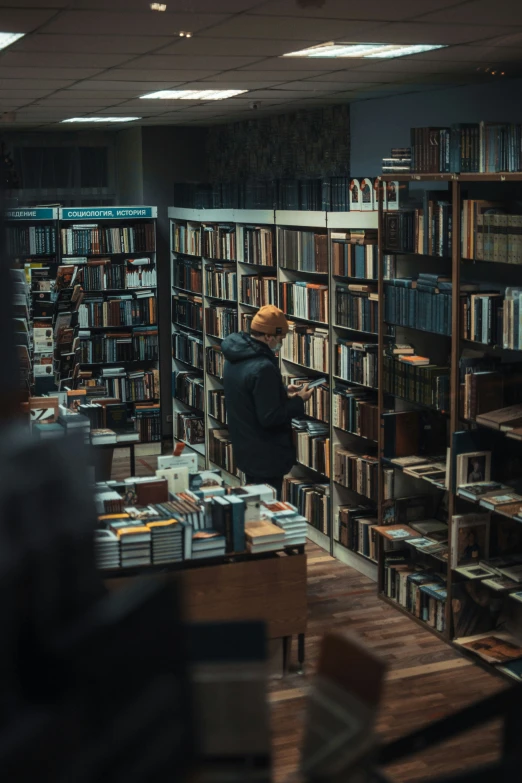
(377, 125)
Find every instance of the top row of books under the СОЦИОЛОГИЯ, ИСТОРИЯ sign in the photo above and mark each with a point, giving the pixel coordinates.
(98, 240)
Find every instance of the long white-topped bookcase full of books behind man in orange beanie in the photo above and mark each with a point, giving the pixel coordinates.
(225, 265)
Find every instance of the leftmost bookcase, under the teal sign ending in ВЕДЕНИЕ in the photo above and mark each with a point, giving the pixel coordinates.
(32, 244)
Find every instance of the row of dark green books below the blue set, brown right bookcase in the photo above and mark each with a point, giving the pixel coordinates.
(426, 385)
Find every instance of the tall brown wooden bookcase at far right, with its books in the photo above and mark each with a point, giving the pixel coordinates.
(449, 538)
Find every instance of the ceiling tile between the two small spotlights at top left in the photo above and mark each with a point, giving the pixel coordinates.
(130, 23)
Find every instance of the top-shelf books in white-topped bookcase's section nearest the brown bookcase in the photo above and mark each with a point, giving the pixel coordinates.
(355, 254)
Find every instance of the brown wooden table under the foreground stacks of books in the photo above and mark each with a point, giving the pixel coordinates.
(269, 587)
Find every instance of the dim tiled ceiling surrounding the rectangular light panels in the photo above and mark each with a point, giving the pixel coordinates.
(82, 57)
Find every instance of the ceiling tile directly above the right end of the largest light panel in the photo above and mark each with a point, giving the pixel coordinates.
(424, 33)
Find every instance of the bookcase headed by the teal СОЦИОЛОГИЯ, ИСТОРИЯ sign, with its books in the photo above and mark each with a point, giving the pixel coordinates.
(114, 249)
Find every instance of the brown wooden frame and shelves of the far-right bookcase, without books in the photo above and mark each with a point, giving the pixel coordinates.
(490, 275)
